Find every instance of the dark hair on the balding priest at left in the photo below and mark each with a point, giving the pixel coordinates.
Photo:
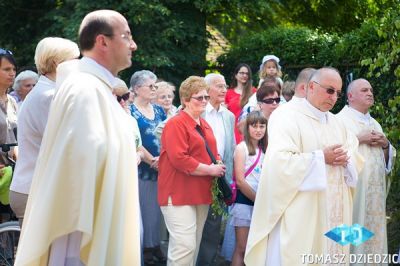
(89, 32)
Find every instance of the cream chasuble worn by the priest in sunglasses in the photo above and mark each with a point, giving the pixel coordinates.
(296, 134)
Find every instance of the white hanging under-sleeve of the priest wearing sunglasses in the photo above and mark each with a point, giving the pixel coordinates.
(316, 178)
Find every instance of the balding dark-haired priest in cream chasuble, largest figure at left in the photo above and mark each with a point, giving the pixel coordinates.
(83, 203)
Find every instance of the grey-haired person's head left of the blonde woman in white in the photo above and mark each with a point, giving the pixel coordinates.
(23, 84)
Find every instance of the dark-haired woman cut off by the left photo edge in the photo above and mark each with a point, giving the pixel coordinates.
(8, 106)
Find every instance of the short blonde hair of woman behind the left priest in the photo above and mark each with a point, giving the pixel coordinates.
(52, 51)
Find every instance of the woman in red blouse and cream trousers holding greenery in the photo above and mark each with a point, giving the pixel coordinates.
(186, 173)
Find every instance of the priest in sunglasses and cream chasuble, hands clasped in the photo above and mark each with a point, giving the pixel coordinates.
(309, 169)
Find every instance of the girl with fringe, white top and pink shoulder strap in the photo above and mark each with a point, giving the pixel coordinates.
(248, 159)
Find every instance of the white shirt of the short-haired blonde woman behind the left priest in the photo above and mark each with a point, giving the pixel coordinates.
(32, 120)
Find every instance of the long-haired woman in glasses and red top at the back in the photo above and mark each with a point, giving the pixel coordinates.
(239, 93)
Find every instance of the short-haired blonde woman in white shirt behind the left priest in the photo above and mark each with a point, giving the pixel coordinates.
(33, 115)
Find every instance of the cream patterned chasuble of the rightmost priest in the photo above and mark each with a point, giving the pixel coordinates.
(370, 197)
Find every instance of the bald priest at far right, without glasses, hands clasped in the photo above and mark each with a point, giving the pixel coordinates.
(370, 197)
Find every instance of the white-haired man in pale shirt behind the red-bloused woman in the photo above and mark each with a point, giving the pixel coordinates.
(222, 122)
